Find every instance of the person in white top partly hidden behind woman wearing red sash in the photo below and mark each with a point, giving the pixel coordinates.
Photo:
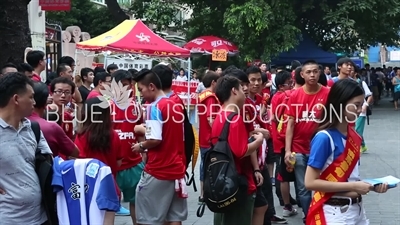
(360, 123)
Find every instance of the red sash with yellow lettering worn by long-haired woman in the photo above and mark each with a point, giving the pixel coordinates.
(338, 171)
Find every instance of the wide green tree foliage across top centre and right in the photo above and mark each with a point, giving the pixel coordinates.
(263, 29)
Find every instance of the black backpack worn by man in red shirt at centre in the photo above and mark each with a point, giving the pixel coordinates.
(224, 188)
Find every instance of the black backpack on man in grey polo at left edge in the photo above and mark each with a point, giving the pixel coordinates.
(44, 170)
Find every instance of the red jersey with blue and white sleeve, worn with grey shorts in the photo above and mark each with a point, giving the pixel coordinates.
(165, 122)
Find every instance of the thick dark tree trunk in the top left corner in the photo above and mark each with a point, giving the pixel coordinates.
(14, 30)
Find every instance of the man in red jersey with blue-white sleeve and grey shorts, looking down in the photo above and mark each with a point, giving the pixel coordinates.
(162, 184)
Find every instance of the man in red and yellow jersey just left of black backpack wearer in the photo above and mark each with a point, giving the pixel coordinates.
(208, 106)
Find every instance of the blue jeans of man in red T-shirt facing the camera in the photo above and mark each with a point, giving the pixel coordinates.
(304, 195)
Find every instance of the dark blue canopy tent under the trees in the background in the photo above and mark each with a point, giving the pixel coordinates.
(305, 50)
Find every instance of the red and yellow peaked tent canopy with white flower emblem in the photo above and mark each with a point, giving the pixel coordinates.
(133, 36)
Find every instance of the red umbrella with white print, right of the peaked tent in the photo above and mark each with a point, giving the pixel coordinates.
(206, 44)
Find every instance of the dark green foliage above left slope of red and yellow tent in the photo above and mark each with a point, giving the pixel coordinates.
(88, 16)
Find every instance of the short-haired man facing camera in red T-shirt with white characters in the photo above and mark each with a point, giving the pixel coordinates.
(305, 106)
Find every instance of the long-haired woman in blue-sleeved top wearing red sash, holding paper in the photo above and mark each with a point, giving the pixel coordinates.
(337, 197)
